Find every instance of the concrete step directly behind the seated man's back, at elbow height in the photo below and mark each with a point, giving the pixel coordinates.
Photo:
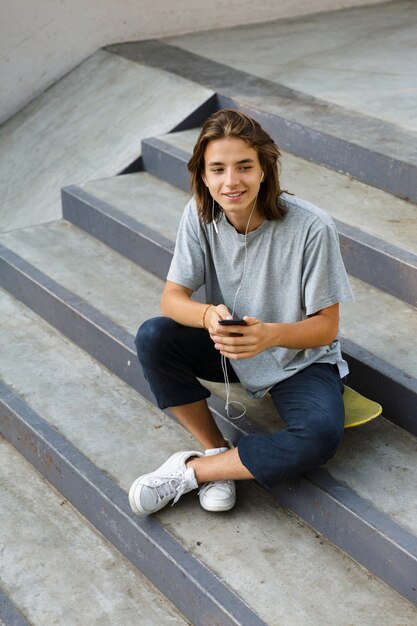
(114, 211)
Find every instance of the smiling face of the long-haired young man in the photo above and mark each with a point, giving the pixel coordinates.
(233, 175)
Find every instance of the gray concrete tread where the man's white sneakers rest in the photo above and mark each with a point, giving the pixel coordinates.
(283, 569)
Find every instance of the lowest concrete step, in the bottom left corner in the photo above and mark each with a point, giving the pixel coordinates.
(55, 567)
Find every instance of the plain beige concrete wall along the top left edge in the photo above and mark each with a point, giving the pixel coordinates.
(42, 40)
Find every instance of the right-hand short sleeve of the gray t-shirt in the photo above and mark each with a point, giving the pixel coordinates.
(325, 281)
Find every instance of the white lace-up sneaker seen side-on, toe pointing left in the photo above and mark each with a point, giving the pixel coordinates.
(153, 491)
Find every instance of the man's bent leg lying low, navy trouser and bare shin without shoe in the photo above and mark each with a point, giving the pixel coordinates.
(311, 403)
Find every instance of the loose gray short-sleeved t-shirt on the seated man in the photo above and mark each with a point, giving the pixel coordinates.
(293, 269)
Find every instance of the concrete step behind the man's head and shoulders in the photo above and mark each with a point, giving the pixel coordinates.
(376, 229)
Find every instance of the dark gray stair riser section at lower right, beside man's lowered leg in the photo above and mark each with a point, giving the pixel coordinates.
(361, 531)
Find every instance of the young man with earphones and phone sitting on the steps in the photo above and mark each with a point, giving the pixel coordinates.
(274, 261)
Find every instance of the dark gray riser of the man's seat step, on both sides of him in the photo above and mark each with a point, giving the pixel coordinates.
(333, 510)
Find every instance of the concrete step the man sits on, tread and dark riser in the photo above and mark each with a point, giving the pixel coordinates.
(97, 298)
